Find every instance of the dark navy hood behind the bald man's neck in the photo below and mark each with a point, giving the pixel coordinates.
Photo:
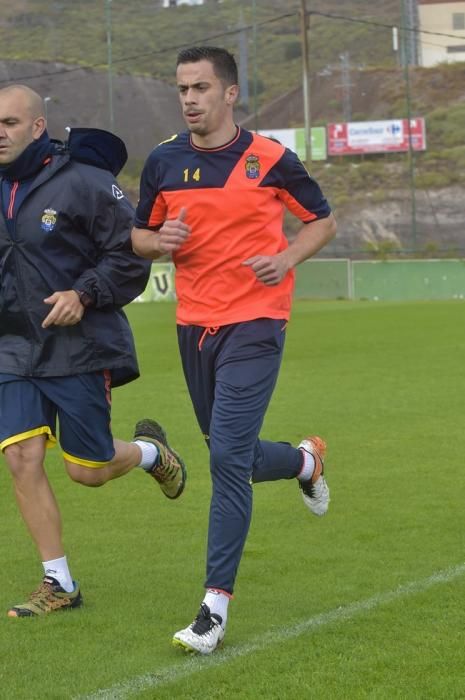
(95, 147)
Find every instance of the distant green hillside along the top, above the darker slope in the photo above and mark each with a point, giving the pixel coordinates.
(145, 37)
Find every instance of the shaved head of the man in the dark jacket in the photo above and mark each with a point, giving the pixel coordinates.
(22, 120)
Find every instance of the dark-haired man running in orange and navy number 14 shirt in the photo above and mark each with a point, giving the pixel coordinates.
(214, 197)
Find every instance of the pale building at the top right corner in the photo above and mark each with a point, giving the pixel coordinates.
(446, 18)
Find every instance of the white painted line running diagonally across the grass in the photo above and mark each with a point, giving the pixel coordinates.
(194, 664)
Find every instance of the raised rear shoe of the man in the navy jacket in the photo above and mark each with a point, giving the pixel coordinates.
(169, 469)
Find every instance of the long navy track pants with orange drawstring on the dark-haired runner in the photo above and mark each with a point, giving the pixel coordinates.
(231, 372)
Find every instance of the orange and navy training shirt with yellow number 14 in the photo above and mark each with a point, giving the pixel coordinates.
(235, 197)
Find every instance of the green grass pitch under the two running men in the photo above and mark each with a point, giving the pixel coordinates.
(367, 602)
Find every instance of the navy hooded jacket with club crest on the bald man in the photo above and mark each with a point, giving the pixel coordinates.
(66, 224)
